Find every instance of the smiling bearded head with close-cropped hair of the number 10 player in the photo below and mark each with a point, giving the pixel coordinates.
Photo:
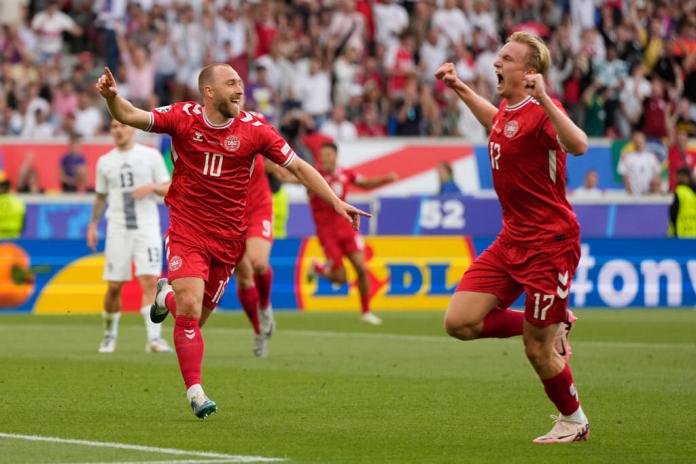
(221, 88)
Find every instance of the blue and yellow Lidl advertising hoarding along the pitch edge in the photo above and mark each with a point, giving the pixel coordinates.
(406, 273)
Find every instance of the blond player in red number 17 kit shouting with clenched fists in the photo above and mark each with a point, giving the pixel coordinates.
(538, 249)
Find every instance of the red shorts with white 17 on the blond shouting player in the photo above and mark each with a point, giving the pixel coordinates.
(543, 273)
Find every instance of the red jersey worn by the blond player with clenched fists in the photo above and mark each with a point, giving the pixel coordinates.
(529, 176)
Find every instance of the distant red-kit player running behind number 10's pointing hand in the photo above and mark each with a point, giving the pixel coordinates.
(337, 240)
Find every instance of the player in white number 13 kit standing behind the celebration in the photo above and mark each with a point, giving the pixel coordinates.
(128, 178)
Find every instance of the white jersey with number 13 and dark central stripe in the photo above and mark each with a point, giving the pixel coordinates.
(121, 172)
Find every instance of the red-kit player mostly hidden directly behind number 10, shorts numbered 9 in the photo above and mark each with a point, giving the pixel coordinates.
(253, 274)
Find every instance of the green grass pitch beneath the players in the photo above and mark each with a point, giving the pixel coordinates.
(336, 391)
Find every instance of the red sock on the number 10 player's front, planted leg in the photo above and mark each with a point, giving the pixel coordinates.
(188, 342)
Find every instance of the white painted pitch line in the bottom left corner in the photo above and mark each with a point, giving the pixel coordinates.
(145, 449)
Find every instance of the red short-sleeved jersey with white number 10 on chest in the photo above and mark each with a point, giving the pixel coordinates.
(212, 166)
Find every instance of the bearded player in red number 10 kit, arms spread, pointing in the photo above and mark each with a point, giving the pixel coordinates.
(213, 147)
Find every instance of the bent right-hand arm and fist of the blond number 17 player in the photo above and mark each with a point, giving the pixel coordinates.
(572, 138)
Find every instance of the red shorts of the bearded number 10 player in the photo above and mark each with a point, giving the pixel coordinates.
(191, 255)
